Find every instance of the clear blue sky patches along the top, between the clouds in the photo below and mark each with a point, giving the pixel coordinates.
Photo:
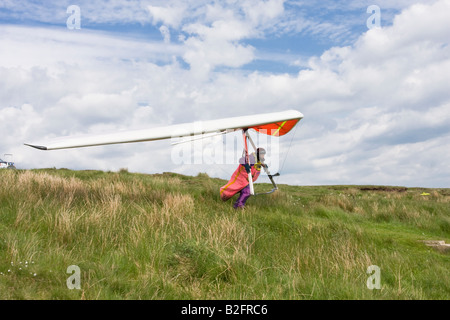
(305, 29)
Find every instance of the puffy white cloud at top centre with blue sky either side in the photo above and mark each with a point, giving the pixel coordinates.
(213, 33)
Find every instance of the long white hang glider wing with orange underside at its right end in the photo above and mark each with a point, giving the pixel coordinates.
(277, 124)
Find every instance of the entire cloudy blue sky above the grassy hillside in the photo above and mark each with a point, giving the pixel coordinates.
(376, 103)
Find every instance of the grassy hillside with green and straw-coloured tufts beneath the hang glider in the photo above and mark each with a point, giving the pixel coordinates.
(168, 236)
